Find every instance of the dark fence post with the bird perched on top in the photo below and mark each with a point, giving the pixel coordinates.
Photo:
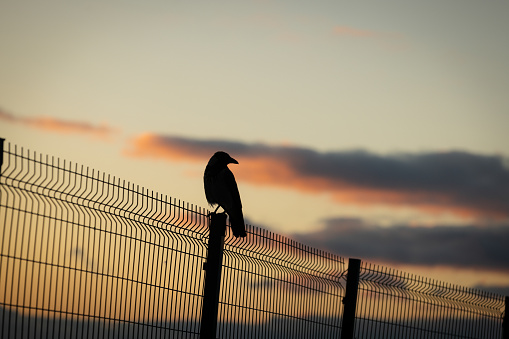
(212, 267)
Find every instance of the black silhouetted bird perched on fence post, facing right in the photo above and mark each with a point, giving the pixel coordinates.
(221, 190)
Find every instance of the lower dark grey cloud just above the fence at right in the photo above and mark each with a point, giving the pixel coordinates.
(468, 246)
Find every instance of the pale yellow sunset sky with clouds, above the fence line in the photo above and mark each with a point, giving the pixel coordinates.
(376, 131)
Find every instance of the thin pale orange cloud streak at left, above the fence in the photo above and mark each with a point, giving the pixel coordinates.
(60, 125)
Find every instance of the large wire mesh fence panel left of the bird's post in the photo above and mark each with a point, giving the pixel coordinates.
(84, 254)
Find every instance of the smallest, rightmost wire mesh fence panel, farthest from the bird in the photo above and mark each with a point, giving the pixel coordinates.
(394, 305)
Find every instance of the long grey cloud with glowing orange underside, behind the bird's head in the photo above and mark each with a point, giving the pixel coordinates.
(462, 183)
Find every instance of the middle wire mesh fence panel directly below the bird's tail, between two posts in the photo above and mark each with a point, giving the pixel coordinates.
(274, 287)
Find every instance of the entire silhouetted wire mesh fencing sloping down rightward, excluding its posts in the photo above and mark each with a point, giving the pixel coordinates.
(87, 255)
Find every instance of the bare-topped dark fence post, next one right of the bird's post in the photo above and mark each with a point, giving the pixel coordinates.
(350, 299)
